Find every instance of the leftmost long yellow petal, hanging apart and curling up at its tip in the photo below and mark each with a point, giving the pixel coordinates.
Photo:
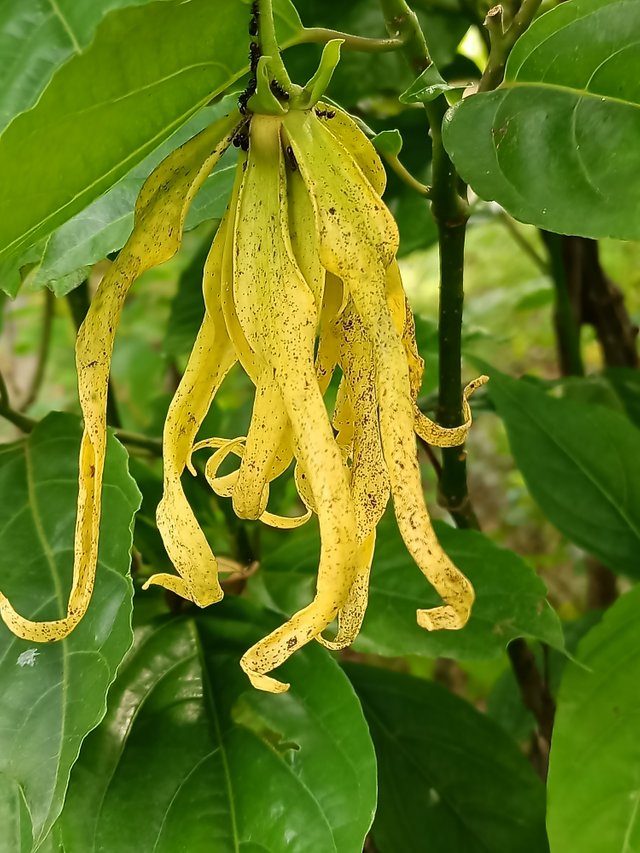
(159, 217)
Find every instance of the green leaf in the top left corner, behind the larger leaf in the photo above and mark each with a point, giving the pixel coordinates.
(36, 38)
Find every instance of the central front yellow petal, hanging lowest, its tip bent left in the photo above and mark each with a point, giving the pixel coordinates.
(277, 311)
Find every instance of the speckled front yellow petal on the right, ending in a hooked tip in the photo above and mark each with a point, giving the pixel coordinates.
(358, 242)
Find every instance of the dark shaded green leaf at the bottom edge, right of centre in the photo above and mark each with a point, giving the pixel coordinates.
(449, 778)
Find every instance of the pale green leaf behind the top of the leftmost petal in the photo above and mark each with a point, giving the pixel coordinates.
(105, 225)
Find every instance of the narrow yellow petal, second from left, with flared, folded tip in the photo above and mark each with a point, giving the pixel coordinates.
(210, 360)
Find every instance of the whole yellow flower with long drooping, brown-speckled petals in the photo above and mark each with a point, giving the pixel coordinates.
(301, 281)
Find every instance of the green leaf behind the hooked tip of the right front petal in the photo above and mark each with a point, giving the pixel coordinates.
(510, 598)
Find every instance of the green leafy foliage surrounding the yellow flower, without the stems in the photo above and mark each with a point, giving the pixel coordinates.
(144, 735)
